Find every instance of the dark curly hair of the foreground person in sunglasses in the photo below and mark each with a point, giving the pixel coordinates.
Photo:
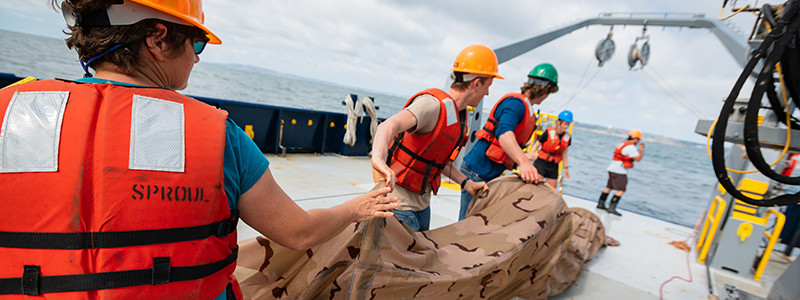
(92, 41)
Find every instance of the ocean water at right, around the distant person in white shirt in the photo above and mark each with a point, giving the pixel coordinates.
(673, 182)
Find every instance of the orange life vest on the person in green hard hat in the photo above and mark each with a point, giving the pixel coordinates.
(522, 132)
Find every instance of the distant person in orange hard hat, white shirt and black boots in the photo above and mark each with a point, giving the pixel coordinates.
(624, 155)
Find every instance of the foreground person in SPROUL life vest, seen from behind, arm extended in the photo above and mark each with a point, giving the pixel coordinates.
(115, 186)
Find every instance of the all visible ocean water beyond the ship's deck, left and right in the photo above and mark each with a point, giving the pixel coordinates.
(673, 182)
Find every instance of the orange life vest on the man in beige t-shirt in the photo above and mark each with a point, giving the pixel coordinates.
(422, 156)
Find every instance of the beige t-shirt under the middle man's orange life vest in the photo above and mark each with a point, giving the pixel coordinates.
(426, 108)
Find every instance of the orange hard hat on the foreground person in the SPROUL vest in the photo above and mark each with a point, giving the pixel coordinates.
(190, 11)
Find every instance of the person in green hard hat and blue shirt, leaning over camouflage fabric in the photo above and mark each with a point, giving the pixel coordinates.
(506, 132)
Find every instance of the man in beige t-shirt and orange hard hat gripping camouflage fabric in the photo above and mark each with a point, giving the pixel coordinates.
(414, 147)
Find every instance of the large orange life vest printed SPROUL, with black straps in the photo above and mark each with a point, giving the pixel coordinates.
(101, 200)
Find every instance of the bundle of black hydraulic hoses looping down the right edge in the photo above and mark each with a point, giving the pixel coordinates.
(718, 150)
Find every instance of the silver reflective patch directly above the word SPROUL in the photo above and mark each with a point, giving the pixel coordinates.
(157, 135)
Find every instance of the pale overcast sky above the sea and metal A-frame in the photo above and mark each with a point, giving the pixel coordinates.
(401, 47)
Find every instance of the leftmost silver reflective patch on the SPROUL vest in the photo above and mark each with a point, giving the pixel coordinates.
(31, 132)
